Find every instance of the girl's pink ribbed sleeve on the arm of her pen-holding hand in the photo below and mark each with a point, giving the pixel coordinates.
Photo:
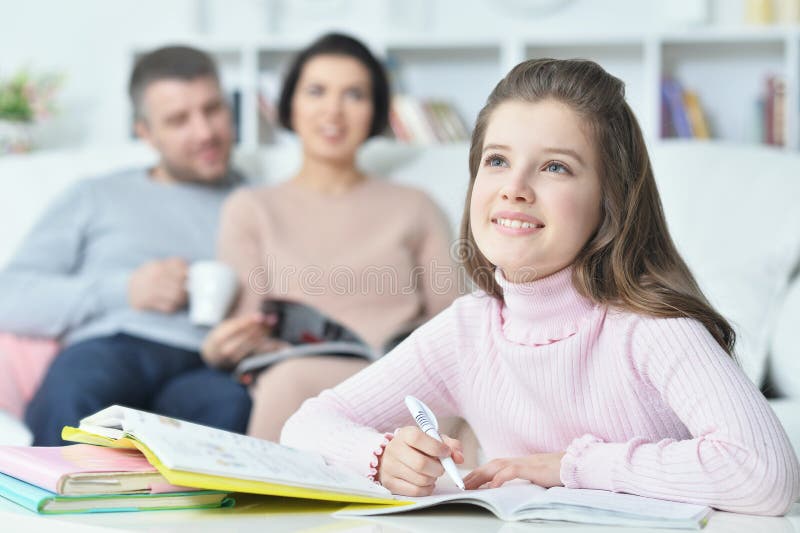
(348, 424)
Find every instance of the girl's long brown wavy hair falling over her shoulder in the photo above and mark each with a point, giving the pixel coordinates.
(630, 262)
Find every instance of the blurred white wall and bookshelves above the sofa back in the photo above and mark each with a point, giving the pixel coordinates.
(726, 69)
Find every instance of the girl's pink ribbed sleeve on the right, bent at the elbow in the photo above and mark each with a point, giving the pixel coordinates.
(739, 458)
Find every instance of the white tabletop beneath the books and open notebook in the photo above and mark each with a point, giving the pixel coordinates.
(275, 515)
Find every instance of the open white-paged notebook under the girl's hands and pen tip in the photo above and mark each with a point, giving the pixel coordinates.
(524, 501)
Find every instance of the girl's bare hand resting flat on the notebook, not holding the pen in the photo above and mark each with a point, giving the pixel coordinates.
(543, 469)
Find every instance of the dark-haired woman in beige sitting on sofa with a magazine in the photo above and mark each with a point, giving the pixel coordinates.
(359, 249)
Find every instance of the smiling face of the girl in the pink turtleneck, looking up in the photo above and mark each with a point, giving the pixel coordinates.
(536, 198)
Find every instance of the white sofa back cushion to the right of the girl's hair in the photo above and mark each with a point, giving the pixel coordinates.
(732, 212)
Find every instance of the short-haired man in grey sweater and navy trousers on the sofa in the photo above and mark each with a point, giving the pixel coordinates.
(104, 270)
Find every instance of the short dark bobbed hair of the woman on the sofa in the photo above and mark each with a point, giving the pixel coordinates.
(341, 45)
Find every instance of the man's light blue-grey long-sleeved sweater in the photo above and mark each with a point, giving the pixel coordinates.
(69, 278)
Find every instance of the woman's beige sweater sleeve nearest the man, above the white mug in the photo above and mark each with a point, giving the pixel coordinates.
(239, 247)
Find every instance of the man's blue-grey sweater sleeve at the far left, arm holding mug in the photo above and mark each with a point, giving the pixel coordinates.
(44, 291)
